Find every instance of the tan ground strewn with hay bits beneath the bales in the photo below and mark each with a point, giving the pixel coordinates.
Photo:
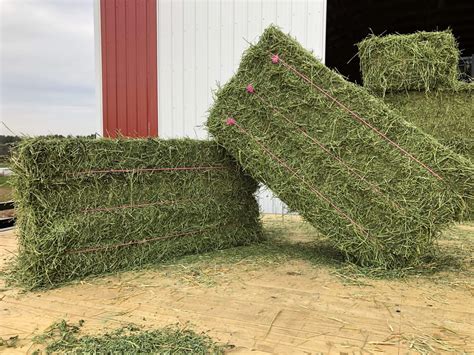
(284, 306)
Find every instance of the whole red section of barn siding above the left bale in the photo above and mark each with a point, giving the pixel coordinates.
(129, 67)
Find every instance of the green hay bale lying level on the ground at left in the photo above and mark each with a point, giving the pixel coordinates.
(88, 207)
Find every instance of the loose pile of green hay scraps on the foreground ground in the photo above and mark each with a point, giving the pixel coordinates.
(63, 337)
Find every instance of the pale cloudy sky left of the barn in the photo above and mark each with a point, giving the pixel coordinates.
(47, 67)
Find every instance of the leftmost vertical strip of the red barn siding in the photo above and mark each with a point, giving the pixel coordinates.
(111, 96)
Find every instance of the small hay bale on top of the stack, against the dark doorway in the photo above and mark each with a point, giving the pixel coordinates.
(420, 61)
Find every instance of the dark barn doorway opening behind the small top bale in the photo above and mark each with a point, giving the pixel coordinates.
(348, 22)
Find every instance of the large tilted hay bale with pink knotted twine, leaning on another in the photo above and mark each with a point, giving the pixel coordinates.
(381, 196)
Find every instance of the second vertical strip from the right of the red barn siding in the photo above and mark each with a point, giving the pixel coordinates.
(142, 109)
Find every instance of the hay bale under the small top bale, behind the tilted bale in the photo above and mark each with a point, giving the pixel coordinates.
(448, 115)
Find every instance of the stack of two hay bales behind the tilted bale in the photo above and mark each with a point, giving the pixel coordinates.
(417, 74)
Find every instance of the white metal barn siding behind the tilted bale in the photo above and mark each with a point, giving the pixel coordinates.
(200, 44)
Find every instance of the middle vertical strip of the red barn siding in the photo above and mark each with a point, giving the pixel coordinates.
(131, 40)
